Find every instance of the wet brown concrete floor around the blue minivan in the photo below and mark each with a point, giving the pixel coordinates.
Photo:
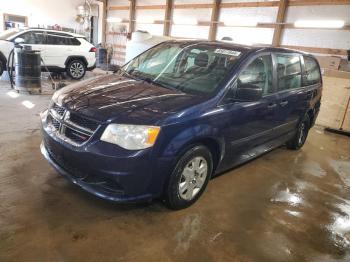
(283, 206)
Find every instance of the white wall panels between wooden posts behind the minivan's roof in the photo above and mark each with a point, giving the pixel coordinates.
(335, 38)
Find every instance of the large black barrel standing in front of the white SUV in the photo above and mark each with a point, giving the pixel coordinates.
(28, 70)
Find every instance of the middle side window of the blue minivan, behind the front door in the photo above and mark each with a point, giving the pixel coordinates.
(288, 71)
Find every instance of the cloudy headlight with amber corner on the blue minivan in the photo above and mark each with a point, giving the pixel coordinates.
(132, 137)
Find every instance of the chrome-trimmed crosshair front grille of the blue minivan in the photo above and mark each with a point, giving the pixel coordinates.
(69, 126)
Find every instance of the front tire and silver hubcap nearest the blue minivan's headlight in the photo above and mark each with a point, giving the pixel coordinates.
(189, 178)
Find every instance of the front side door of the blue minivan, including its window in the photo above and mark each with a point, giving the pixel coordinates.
(250, 125)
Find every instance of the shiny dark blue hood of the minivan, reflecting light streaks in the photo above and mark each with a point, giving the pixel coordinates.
(120, 99)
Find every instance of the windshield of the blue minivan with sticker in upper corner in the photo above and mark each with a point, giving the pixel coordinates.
(194, 68)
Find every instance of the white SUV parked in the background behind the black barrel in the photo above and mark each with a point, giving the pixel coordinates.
(60, 51)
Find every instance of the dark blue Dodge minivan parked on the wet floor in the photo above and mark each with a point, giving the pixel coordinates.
(177, 115)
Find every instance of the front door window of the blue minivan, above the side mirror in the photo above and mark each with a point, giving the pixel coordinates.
(258, 73)
